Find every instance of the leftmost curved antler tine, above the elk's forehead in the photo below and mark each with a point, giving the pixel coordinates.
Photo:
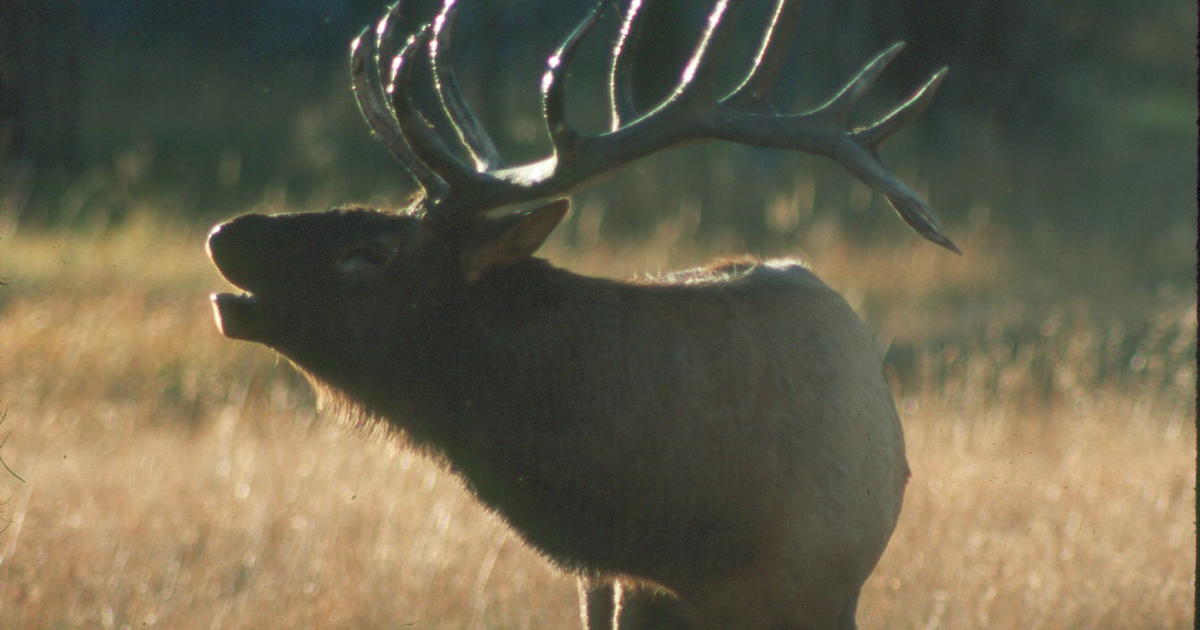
(367, 86)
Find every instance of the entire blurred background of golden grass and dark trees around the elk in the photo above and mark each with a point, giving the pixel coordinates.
(160, 475)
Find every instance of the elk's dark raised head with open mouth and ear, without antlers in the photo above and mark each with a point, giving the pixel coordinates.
(319, 284)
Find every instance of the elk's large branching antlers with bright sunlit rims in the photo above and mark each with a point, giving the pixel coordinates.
(458, 189)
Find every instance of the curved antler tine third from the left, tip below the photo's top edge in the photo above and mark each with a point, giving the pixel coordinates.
(422, 137)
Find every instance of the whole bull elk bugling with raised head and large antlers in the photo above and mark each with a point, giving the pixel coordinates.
(712, 449)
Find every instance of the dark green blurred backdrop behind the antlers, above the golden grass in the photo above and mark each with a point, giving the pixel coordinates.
(1070, 116)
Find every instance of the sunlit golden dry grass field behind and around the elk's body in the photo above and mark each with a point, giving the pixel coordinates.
(170, 478)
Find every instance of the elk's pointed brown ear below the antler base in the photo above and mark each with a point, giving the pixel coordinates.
(513, 239)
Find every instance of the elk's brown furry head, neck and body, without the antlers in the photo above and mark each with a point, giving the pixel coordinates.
(724, 434)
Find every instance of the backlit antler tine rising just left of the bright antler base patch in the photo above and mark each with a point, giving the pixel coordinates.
(471, 133)
